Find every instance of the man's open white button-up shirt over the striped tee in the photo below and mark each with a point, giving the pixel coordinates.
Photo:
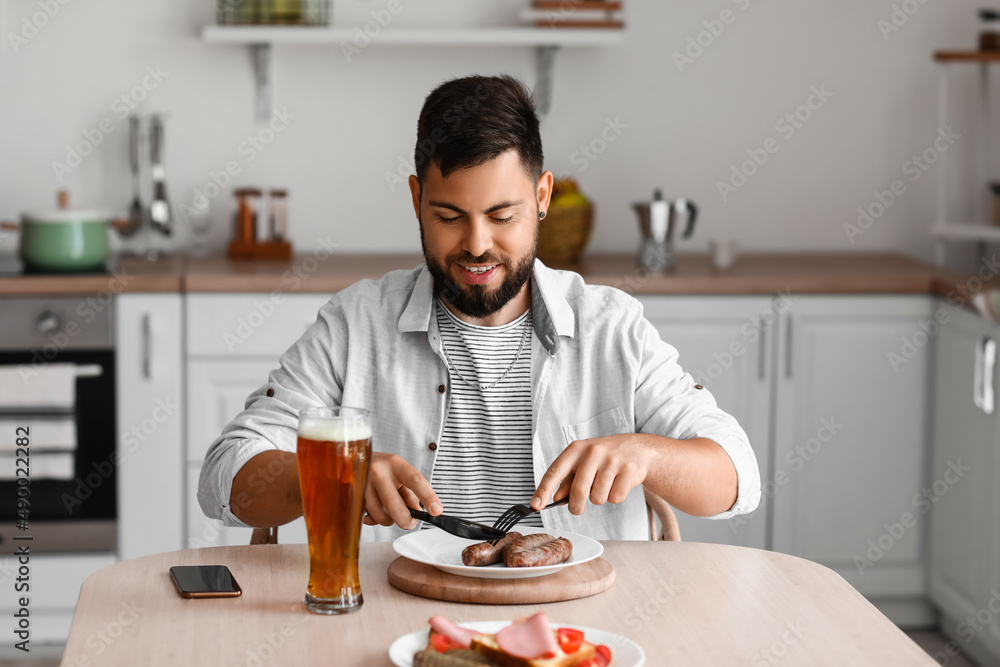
(598, 368)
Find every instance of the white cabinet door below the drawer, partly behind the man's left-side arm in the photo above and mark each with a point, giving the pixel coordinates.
(217, 392)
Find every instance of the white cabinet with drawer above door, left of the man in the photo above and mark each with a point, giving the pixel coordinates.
(234, 341)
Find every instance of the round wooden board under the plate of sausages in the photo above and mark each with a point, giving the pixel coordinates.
(571, 583)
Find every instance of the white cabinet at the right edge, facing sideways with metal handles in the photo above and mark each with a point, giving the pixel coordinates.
(963, 493)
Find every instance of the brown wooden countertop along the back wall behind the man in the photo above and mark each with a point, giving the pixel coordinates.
(800, 273)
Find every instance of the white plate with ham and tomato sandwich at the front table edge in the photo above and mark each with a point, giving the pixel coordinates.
(527, 642)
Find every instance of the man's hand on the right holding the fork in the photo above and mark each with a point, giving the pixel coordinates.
(598, 469)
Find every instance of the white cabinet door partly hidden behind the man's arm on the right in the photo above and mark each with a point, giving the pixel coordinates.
(723, 342)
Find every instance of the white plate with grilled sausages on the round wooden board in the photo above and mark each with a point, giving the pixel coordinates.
(532, 552)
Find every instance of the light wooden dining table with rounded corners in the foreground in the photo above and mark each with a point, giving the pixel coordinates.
(685, 603)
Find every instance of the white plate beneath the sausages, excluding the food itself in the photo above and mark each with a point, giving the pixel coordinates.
(444, 551)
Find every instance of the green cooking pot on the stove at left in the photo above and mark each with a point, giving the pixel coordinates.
(65, 241)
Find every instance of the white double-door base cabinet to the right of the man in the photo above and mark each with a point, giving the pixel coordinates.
(839, 427)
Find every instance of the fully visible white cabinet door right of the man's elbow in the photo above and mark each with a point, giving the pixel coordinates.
(851, 438)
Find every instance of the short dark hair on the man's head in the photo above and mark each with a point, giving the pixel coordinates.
(470, 121)
